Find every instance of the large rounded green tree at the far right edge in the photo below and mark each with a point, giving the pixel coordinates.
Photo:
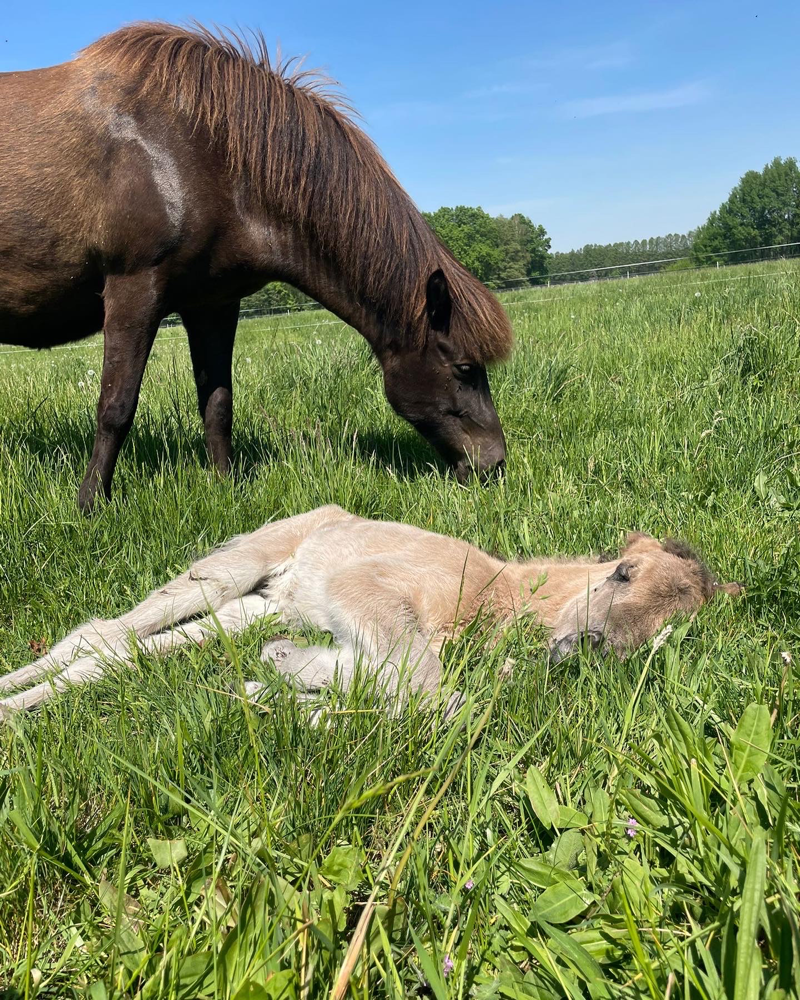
(762, 210)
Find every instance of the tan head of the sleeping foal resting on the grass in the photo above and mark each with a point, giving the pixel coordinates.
(649, 583)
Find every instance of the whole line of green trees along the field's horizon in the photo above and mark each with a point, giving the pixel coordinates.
(761, 211)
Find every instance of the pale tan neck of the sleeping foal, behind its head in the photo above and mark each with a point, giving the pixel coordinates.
(542, 587)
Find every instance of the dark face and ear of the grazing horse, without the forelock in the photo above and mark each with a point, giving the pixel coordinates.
(441, 387)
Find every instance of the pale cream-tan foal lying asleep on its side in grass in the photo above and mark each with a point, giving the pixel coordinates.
(389, 593)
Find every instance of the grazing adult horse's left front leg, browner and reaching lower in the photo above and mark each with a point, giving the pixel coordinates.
(133, 310)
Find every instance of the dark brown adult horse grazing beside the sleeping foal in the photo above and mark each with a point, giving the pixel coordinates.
(171, 170)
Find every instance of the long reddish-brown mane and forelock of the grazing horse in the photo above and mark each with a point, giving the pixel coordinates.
(294, 145)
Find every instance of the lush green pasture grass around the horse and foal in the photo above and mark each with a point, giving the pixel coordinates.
(160, 839)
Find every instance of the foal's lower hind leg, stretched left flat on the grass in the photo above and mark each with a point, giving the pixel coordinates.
(232, 618)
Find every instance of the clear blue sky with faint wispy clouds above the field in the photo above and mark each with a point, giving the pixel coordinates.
(602, 121)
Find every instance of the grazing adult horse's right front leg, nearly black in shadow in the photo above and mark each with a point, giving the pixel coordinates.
(211, 334)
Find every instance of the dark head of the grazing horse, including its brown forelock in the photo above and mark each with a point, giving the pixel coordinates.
(436, 376)
